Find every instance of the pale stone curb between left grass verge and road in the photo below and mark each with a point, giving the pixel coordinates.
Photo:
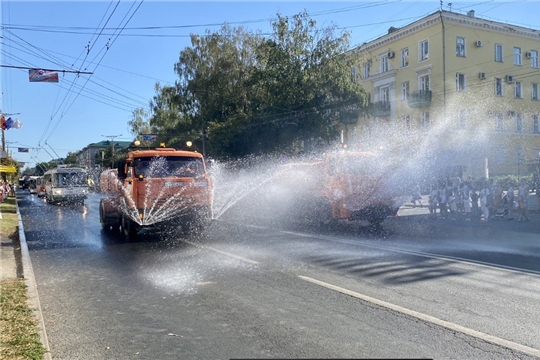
(33, 296)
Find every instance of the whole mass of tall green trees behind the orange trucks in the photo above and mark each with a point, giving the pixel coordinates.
(249, 94)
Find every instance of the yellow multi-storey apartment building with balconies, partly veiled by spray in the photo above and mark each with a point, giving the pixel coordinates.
(453, 90)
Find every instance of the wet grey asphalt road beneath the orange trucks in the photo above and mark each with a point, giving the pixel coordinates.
(257, 286)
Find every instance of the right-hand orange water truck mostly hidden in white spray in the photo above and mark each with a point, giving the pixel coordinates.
(339, 186)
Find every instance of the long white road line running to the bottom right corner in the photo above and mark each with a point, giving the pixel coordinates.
(428, 318)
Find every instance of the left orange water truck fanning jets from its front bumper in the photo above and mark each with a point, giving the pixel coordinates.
(155, 187)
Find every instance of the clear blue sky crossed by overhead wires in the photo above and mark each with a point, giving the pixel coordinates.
(126, 47)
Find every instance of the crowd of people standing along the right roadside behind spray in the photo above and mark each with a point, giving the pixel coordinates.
(477, 199)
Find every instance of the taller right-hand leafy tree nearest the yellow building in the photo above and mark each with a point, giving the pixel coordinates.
(305, 79)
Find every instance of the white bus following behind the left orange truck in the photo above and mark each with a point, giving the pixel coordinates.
(66, 185)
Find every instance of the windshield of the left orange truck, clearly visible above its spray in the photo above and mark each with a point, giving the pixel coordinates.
(168, 166)
